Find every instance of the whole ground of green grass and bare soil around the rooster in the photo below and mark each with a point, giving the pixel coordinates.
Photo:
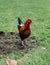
(39, 12)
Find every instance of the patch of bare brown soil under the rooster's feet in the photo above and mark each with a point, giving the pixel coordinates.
(10, 42)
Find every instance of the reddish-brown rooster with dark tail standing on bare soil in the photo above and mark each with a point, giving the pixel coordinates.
(24, 29)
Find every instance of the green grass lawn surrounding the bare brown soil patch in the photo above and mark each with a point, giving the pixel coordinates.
(39, 12)
